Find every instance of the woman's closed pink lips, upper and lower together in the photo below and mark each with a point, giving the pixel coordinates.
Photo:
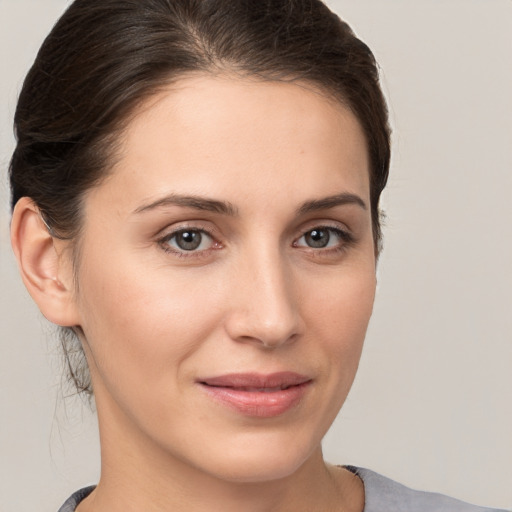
(258, 395)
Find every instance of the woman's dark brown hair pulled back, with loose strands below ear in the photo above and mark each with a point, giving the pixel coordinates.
(104, 57)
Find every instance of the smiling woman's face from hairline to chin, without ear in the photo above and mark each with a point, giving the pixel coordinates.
(227, 276)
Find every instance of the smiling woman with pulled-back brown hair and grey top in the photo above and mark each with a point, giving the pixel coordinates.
(196, 200)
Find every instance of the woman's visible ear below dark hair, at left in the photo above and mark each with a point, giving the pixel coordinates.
(44, 263)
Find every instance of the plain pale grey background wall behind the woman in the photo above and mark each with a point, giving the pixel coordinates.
(432, 403)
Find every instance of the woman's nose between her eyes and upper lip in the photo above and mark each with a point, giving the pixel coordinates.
(265, 305)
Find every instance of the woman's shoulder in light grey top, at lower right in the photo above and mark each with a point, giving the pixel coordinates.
(383, 495)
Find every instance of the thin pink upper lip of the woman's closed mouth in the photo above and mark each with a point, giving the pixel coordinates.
(281, 380)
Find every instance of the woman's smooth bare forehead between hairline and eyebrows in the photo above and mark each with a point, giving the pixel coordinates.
(209, 133)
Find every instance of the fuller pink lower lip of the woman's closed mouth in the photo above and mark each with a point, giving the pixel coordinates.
(258, 403)
